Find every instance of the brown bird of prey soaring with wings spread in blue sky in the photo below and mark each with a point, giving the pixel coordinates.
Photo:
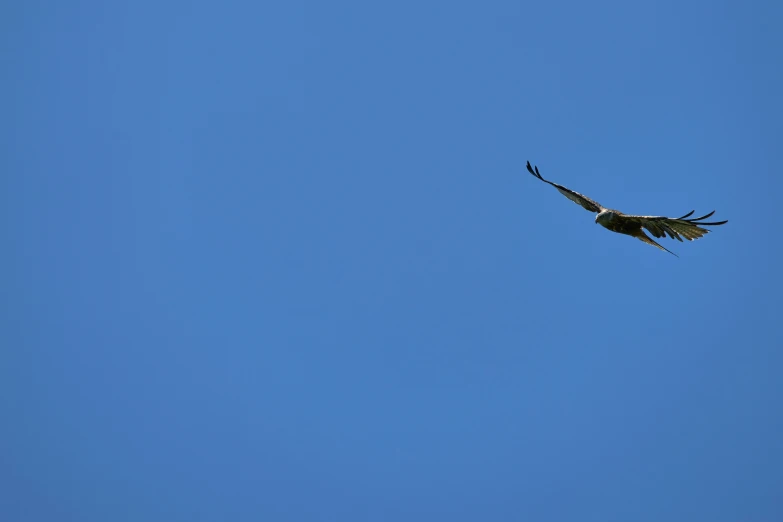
(658, 226)
